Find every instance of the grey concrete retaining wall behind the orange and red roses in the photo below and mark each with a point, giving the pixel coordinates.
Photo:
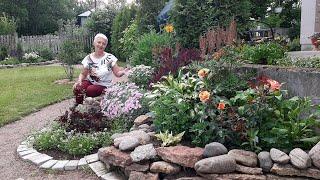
(301, 82)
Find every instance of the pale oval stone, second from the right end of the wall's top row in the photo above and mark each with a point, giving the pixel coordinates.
(300, 159)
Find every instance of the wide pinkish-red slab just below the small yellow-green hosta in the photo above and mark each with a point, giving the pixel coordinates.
(182, 155)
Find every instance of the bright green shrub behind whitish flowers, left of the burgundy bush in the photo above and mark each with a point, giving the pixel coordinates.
(146, 43)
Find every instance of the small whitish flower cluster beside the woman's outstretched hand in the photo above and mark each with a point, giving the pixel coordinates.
(141, 75)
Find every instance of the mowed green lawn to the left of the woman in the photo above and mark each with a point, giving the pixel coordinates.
(25, 90)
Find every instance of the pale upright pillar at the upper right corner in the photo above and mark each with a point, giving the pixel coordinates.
(309, 22)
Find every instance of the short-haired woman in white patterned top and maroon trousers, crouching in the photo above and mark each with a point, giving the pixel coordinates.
(96, 74)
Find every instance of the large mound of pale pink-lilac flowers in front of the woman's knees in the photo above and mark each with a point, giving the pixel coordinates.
(121, 99)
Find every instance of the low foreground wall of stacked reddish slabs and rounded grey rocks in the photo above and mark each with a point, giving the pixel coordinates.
(138, 155)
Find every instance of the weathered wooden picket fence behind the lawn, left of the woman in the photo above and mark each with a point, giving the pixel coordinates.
(34, 43)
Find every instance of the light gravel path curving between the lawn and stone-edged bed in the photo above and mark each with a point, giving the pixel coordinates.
(11, 135)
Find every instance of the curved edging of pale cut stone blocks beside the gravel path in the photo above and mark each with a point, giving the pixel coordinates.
(27, 153)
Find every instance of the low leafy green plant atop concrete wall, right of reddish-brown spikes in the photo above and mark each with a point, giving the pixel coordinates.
(265, 53)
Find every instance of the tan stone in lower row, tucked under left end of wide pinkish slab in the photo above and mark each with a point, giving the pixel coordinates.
(164, 167)
